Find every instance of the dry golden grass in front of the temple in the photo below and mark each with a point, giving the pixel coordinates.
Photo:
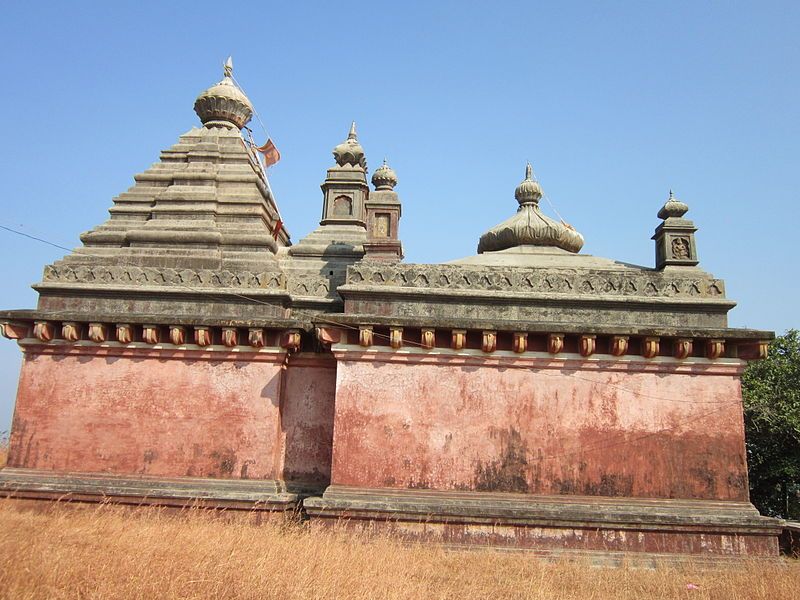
(108, 552)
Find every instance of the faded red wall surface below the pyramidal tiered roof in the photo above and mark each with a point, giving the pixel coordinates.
(146, 412)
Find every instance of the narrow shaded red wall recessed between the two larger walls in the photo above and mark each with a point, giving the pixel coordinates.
(307, 419)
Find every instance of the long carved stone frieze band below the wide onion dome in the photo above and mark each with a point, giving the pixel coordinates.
(552, 281)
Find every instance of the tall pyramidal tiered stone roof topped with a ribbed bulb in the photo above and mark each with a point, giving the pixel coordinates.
(201, 217)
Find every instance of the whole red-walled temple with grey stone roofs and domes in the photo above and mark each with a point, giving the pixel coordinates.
(528, 396)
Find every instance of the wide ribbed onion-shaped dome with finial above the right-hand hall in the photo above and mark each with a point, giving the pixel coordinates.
(529, 227)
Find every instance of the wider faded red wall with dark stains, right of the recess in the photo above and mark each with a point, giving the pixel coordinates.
(641, 430)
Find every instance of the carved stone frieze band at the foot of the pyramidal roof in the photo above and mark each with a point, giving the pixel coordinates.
(151, 276)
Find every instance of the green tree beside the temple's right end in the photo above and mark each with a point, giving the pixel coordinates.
(771, 390)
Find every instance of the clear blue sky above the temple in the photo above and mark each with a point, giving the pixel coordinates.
(614, 103)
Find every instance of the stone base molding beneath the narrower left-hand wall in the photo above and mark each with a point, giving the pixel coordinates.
(252, 495)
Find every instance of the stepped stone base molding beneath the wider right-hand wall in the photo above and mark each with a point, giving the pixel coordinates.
(555, 524)
